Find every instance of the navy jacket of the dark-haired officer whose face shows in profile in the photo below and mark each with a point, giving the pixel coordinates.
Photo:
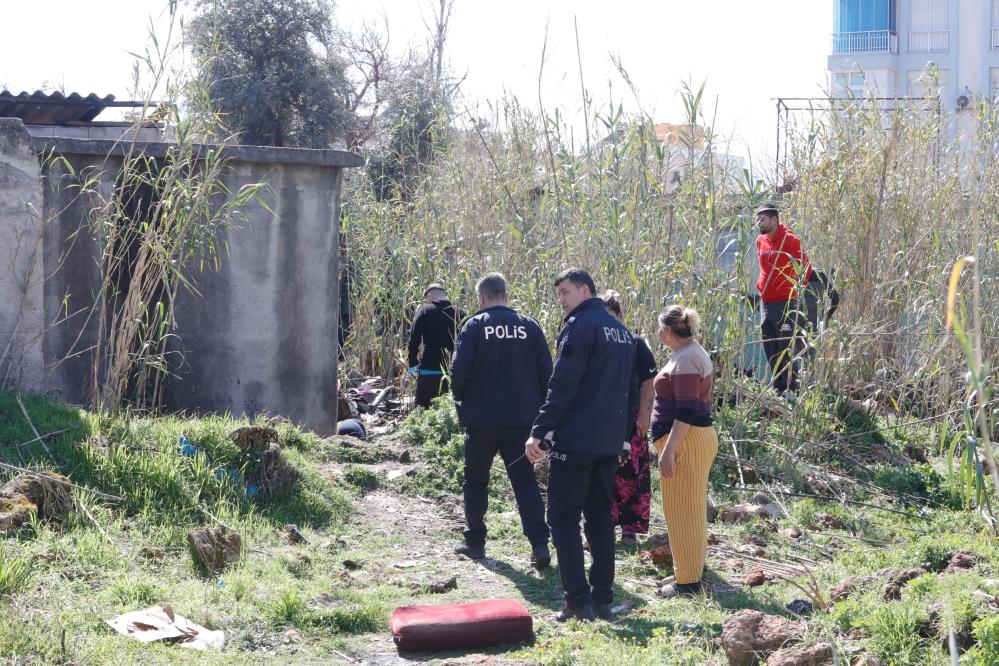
(593, 392)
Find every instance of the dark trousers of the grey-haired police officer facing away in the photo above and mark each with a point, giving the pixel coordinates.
(481, 446)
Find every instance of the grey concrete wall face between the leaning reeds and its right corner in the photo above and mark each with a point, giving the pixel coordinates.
(262, 336)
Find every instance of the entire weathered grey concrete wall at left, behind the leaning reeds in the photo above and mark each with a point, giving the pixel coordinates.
(261, 335)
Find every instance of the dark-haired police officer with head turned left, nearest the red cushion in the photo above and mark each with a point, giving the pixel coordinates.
(592, 398)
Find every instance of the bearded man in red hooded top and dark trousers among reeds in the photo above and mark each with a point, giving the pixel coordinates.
(783, 268)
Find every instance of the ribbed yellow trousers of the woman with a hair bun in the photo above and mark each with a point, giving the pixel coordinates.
(685, 501)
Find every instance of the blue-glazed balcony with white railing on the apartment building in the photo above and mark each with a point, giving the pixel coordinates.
(864, 26)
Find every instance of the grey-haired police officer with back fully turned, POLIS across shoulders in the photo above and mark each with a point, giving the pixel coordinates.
(499, 377)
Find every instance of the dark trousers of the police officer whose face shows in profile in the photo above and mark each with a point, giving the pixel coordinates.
(583, 484)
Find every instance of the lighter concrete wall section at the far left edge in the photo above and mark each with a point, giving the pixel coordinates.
(21, 321)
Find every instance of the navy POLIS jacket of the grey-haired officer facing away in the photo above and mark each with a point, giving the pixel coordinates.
(500, 369)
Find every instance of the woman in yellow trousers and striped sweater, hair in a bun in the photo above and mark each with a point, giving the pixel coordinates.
(687, 443)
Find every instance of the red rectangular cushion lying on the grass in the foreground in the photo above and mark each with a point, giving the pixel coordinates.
(460, 626)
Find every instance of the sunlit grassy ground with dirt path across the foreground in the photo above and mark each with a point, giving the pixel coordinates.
(68, 578)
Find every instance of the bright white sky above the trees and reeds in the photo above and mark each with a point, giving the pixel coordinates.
(748, 53)
